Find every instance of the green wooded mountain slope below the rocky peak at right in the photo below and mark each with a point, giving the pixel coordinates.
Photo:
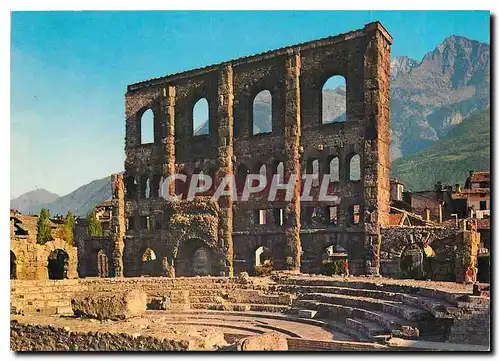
(465, 147)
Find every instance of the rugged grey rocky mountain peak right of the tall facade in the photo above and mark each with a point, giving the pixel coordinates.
(427, 100)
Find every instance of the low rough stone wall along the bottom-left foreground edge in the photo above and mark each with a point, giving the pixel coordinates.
(25, 337)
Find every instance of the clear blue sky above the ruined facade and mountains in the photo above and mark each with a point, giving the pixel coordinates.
(69, 71)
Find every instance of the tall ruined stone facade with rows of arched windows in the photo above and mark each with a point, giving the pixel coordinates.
(294, 76)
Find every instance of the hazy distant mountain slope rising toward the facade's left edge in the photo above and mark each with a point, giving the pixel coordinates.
(80, 202)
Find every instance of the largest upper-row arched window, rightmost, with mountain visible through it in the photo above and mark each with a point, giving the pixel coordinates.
(333, 100)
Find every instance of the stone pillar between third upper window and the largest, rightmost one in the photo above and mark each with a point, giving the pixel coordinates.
(292, 159)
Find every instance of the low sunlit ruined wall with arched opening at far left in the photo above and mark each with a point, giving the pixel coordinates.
(31, 259)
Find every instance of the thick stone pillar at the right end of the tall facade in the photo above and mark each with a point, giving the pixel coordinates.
(376, 160)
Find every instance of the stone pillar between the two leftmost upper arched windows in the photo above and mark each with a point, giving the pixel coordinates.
(168, 133)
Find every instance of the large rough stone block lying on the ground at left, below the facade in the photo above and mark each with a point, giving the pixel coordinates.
(114, 306)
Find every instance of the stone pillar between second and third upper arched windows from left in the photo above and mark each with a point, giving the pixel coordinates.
(225, 162)
